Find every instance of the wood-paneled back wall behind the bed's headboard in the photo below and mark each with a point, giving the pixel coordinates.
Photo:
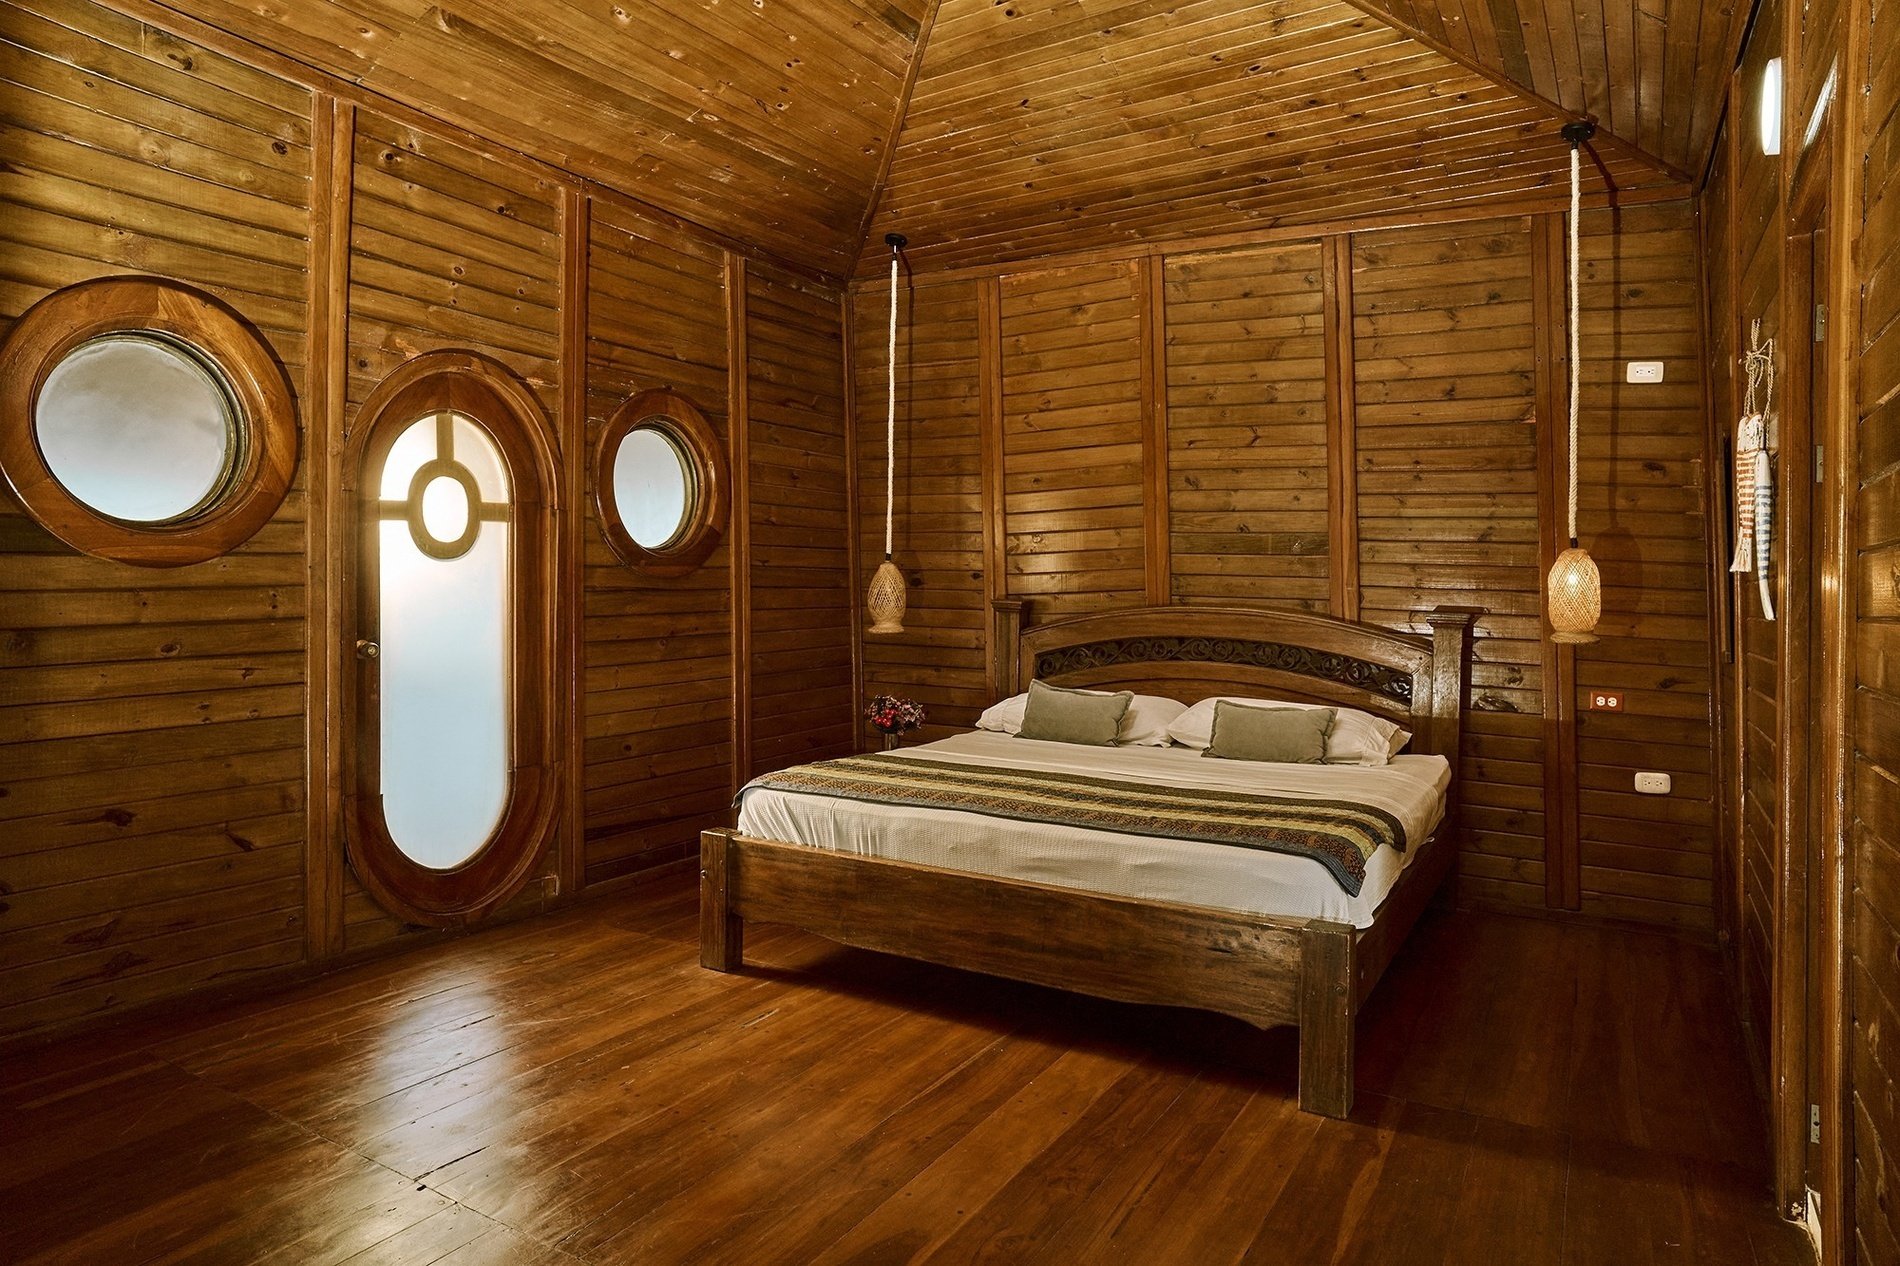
(1196, 425)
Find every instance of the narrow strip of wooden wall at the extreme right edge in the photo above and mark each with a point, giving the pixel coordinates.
(1874, 834)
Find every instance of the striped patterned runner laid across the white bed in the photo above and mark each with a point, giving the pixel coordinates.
(1340, 835)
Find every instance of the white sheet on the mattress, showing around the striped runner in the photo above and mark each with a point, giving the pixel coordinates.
(1131, 866)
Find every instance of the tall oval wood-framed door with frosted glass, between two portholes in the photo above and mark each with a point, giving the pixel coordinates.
(451, 801)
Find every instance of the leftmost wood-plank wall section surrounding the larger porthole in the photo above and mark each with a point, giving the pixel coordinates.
(153, 721)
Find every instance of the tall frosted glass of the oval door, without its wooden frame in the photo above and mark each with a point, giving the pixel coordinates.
(446, 680)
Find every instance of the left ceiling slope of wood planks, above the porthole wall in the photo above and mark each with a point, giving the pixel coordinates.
(767, 123)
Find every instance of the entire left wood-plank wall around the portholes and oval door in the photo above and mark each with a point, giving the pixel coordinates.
(168, 773)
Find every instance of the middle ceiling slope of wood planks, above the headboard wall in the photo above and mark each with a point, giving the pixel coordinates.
(1071, 125)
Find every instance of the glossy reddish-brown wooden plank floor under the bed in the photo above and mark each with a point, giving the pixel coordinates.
(580, 1090)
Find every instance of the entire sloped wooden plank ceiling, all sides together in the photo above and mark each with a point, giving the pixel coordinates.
(1038, 126)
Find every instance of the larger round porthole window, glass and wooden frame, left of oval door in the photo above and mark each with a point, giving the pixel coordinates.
(155, 425)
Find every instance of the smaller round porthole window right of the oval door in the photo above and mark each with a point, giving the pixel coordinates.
(660, 486)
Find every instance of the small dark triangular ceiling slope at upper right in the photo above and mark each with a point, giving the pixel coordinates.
(1652, 73)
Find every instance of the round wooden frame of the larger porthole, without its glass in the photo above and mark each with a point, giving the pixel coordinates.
(259, 389)
